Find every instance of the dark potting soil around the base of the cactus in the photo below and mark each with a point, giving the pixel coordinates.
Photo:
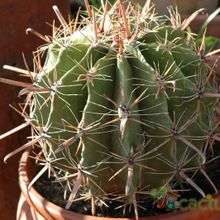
(54, 192)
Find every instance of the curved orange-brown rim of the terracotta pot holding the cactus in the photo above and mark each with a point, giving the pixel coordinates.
(52, 211)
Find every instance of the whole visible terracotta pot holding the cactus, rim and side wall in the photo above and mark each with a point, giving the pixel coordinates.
(32, 206)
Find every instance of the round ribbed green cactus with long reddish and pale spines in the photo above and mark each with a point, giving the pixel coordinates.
(123, 104)
